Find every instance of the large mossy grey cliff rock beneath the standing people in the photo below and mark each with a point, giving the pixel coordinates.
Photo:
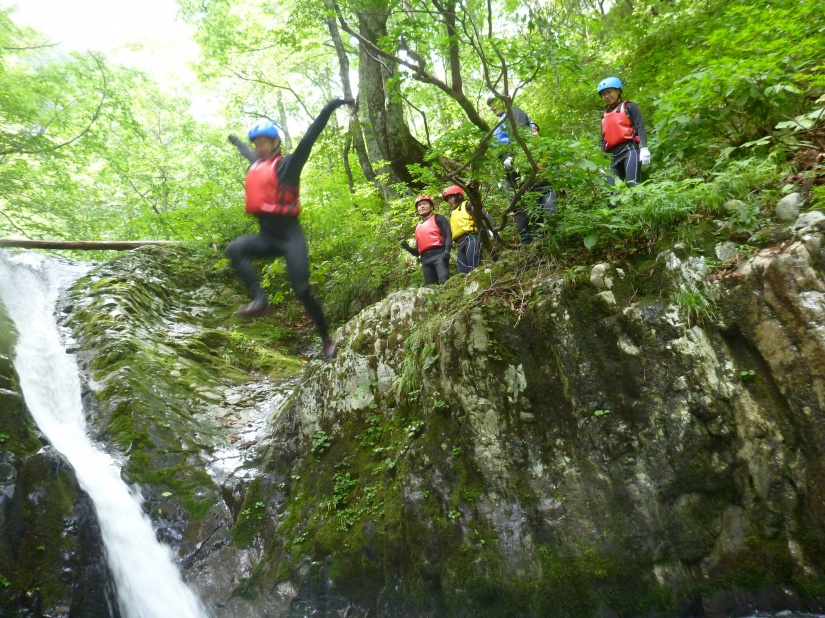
(580, 458)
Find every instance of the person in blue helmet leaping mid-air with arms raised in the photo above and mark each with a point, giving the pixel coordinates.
(272, 188)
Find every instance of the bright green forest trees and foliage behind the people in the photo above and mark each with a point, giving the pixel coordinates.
(733, 95)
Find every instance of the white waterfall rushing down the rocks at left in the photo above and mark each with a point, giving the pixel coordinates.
(148, 582)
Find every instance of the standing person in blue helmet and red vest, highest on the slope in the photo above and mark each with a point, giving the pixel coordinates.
(624, 136)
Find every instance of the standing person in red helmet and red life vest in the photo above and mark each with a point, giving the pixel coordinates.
(433, 241)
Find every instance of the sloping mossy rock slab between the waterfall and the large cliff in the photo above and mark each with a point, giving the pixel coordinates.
(180, 391)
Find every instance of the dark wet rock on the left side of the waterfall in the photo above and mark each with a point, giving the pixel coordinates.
(52, 560)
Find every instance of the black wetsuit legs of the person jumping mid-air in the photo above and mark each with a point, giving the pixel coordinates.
(280, 236)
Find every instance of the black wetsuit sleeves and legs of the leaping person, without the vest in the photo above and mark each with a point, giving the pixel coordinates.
(281, 235)
